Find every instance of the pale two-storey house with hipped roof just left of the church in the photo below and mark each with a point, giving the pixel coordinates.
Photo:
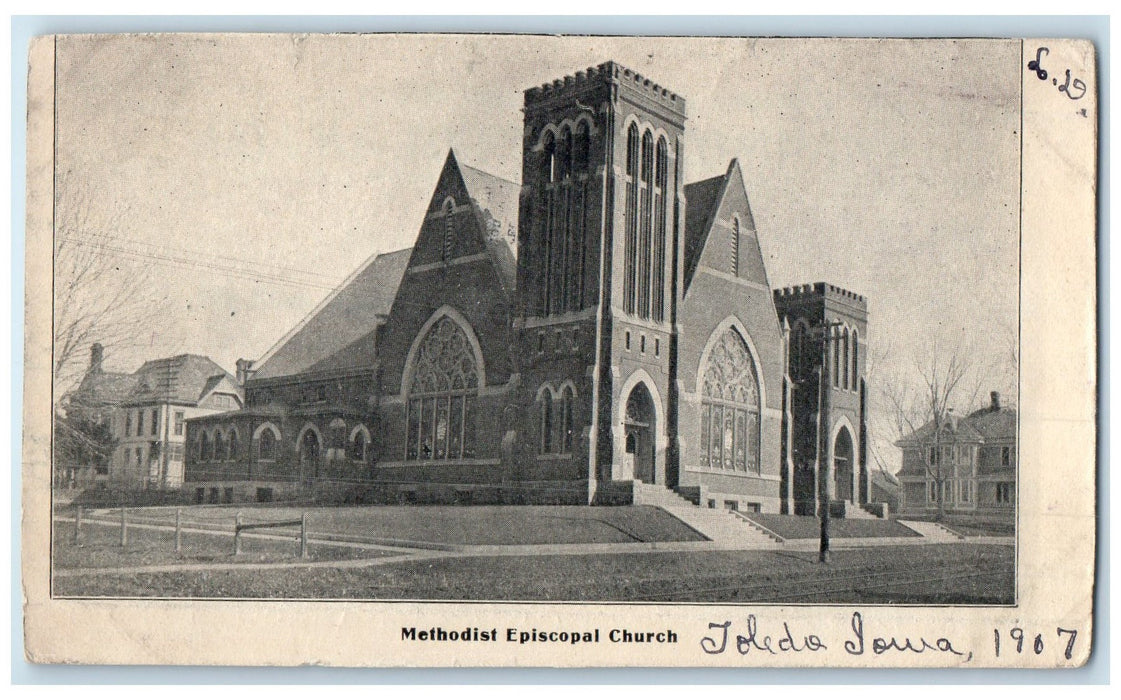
(150, 423)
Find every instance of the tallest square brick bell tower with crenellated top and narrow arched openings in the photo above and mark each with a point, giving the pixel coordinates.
(600, 259)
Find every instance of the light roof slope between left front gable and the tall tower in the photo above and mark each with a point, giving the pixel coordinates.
(498, 201)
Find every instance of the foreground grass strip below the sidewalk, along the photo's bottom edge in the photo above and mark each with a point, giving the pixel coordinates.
(952, 574)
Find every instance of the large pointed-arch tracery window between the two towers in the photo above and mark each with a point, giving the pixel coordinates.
(730, 407)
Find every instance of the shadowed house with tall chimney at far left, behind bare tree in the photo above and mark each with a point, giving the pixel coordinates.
(84, 437)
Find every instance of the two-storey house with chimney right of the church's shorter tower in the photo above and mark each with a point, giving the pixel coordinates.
(970, 466)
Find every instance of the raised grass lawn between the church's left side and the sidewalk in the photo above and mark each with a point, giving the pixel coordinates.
(452, 524)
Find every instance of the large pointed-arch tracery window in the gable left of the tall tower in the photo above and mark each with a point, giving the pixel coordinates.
(441, 420)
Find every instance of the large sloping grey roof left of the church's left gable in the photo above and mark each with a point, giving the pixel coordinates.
(348, 315)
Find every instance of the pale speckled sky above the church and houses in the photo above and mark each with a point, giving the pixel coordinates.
(887, 168)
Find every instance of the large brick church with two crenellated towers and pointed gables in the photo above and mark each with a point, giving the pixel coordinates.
(600, 333)
